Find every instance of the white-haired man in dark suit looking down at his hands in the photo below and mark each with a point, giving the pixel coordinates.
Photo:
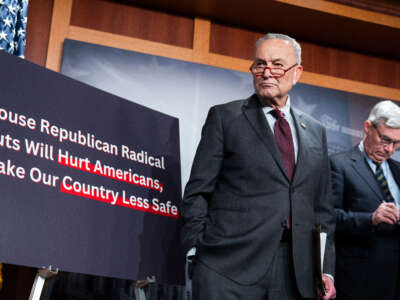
(365, 185)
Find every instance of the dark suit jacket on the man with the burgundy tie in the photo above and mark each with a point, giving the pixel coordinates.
(239, 196)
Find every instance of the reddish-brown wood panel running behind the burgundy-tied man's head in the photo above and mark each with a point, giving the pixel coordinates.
(239, 43)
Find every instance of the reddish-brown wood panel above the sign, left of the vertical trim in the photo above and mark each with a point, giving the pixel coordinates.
(133, 22)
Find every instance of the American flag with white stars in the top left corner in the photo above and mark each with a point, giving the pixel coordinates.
(13, 19)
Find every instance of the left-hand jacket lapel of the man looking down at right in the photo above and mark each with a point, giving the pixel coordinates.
(364, 171)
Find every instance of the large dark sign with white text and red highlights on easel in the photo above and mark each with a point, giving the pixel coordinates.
(89, 182)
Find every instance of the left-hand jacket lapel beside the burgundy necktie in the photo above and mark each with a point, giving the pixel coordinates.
(254, 114)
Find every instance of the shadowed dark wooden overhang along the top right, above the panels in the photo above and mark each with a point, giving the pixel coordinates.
(318, 21)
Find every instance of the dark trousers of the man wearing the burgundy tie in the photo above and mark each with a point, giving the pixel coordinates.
(277, 284)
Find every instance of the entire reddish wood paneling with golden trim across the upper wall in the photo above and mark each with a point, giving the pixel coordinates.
(145, 30)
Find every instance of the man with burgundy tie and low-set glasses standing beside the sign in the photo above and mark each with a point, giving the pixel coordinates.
(259, 185)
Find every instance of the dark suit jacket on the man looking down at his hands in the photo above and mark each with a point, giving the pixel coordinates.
(367, 257)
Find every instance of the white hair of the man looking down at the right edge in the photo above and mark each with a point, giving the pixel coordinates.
(385, 112)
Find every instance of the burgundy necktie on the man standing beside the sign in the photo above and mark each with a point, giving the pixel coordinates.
(284, 140)
